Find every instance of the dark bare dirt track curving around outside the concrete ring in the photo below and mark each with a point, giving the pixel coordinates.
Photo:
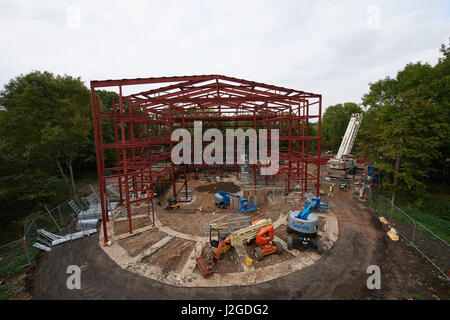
(339, 274)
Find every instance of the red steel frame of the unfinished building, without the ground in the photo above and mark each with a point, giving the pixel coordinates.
(143, 123)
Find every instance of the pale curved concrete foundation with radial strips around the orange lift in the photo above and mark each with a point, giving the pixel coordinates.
(187, 274)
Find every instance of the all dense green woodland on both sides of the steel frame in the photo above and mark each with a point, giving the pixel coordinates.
(47, 146)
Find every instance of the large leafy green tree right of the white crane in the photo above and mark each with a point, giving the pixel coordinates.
(408, 127)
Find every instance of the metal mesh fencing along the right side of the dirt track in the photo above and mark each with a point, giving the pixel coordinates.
(429, 244)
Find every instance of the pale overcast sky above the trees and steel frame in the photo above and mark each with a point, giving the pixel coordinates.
(330, 47)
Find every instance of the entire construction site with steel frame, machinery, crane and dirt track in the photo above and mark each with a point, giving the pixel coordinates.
(195, 226)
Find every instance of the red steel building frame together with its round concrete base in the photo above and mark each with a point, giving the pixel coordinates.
(167, 213)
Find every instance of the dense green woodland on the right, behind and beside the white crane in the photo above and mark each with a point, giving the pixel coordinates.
(405, 132)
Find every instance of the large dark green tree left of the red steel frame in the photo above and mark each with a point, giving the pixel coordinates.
(44, 122)
